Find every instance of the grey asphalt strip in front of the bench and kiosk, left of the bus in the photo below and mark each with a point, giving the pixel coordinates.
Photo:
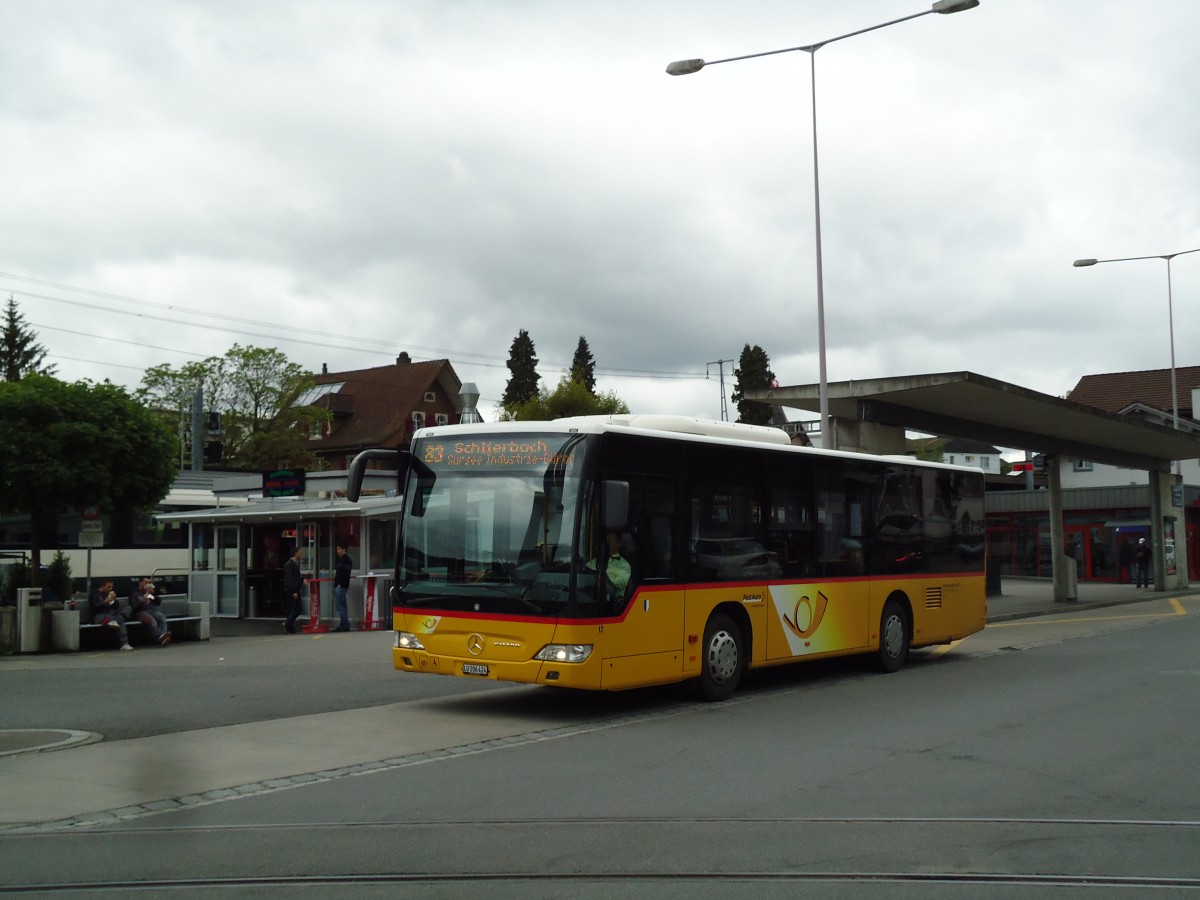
(205, 685)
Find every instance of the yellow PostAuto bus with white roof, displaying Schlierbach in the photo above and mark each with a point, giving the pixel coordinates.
(616, 553)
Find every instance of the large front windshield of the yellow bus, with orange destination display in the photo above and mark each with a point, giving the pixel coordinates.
(490, 524)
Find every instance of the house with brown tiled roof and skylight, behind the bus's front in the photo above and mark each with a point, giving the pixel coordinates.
(382, 407)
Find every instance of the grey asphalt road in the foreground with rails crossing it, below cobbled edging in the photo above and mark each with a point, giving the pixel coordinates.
(1047, 754)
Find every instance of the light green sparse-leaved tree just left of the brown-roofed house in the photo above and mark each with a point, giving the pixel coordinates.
(255, 389)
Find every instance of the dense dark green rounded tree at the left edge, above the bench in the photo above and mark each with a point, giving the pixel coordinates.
(76, 446)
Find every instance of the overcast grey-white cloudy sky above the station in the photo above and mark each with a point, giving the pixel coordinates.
(346, 181)
